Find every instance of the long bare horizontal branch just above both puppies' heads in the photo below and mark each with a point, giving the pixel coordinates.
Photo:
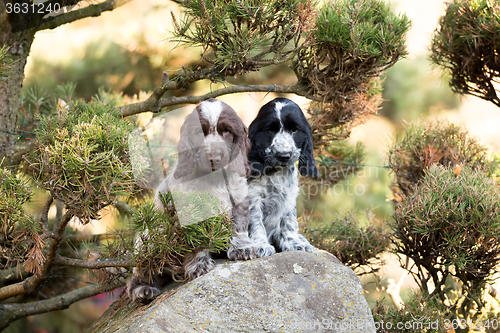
(155, 104)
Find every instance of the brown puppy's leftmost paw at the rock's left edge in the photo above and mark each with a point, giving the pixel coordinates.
(141, 289)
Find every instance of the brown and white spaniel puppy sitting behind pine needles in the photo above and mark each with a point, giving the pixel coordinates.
(212, 151)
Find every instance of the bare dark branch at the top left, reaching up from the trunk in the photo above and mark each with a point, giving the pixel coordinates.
(90, 11)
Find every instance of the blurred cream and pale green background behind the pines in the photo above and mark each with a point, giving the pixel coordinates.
(127, 50)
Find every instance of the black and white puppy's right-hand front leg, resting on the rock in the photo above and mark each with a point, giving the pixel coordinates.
(288, 238)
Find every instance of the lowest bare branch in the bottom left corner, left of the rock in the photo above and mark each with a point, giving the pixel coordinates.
(11, 312)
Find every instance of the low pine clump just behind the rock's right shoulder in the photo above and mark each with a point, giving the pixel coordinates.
(355, 243)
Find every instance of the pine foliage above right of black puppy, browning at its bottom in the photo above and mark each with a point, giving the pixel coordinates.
(353, 43)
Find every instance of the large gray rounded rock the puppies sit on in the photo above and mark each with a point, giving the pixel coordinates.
(287, 292)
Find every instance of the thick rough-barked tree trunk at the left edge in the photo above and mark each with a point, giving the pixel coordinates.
(17, 31)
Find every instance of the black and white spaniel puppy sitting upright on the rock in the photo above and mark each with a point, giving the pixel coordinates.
(279, 136)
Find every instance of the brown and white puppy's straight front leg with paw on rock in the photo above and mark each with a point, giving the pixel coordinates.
(242, 248)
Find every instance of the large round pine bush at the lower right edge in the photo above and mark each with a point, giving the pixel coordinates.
(449, 227)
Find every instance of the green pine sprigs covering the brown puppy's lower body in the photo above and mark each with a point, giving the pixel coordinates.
(167, 243)
